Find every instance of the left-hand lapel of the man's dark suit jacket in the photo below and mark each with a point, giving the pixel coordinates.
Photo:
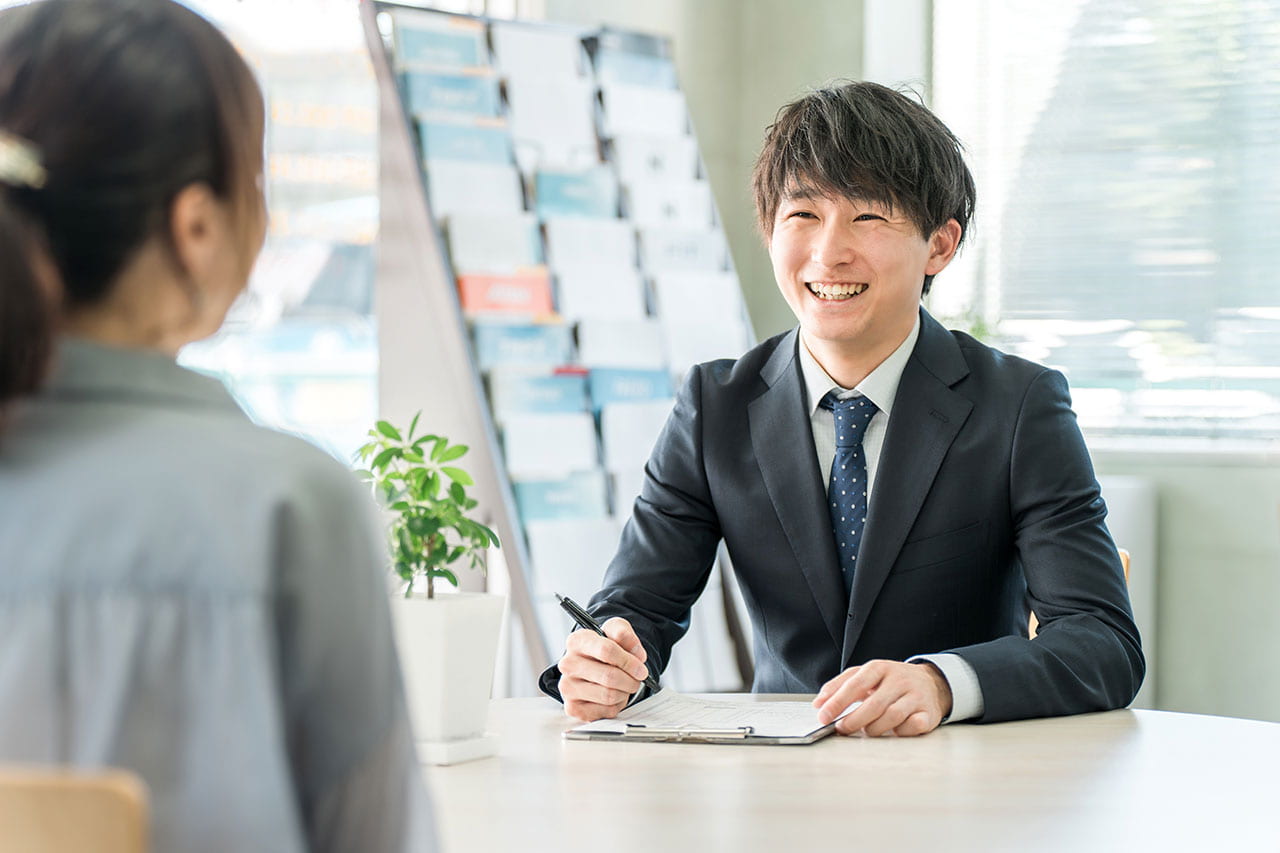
(776, 419)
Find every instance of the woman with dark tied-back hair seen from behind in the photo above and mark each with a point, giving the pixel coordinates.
(182, 594)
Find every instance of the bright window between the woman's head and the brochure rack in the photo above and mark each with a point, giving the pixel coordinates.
(300, 349)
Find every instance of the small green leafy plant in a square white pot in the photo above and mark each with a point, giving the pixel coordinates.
(449, 644)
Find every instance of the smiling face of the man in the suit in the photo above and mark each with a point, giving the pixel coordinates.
(853, 272)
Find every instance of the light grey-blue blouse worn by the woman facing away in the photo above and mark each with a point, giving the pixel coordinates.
(204, 601)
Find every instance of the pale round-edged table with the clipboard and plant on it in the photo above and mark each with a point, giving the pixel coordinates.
(1126, 781)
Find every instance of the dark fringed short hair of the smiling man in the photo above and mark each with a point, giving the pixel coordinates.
(860, 140)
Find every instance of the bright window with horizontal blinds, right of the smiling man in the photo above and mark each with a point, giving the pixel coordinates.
(1130, 203)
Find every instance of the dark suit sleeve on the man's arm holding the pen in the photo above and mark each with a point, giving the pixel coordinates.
(669, 546)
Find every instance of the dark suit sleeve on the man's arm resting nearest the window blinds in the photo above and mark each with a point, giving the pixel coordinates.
(1087, 655)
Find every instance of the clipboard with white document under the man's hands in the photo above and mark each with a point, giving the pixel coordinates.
(669, 717)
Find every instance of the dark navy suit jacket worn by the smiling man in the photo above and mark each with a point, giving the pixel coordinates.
(985, 507)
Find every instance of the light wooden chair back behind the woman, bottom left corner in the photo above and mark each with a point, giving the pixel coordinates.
(60, 810)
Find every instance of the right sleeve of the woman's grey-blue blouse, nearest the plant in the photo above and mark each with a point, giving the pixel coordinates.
(351, 750)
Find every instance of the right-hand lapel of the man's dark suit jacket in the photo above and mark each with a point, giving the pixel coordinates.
(927, 417)
